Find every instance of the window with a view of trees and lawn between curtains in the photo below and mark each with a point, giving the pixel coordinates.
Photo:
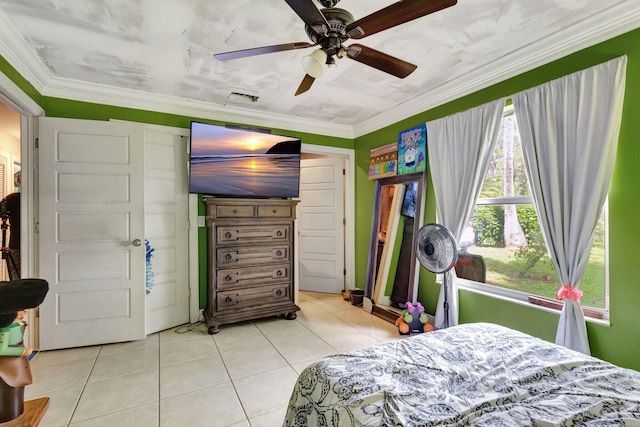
(505, 232)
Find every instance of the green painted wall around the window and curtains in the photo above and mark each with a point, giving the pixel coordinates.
(618, 343)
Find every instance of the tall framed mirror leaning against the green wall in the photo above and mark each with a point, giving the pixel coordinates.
(392, 272)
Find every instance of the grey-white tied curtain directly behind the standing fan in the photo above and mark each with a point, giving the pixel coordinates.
(460, 147)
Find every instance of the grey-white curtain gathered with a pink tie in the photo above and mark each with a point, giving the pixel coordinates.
(569, 129)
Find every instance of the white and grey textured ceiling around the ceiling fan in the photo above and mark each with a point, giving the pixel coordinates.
(163, 49)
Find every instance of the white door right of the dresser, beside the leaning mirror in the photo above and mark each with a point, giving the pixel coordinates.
(321, 225)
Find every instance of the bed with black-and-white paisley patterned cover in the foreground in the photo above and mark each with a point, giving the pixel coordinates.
(474, 374)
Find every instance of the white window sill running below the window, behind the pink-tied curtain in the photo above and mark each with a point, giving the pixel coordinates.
(551, 306)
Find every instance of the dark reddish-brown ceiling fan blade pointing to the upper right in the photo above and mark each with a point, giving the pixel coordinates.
(395, 14)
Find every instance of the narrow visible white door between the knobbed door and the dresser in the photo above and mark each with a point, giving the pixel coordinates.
(166, 229)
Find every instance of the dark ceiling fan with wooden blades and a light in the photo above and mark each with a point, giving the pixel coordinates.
(330, 27)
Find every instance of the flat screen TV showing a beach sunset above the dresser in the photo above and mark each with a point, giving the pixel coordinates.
(238, 162)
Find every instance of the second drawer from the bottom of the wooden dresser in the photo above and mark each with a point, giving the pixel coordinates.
(232, 278)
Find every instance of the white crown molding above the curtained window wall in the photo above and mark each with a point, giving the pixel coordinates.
(616, 20)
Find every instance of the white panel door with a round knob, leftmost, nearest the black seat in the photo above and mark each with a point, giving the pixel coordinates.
(91, 232)
